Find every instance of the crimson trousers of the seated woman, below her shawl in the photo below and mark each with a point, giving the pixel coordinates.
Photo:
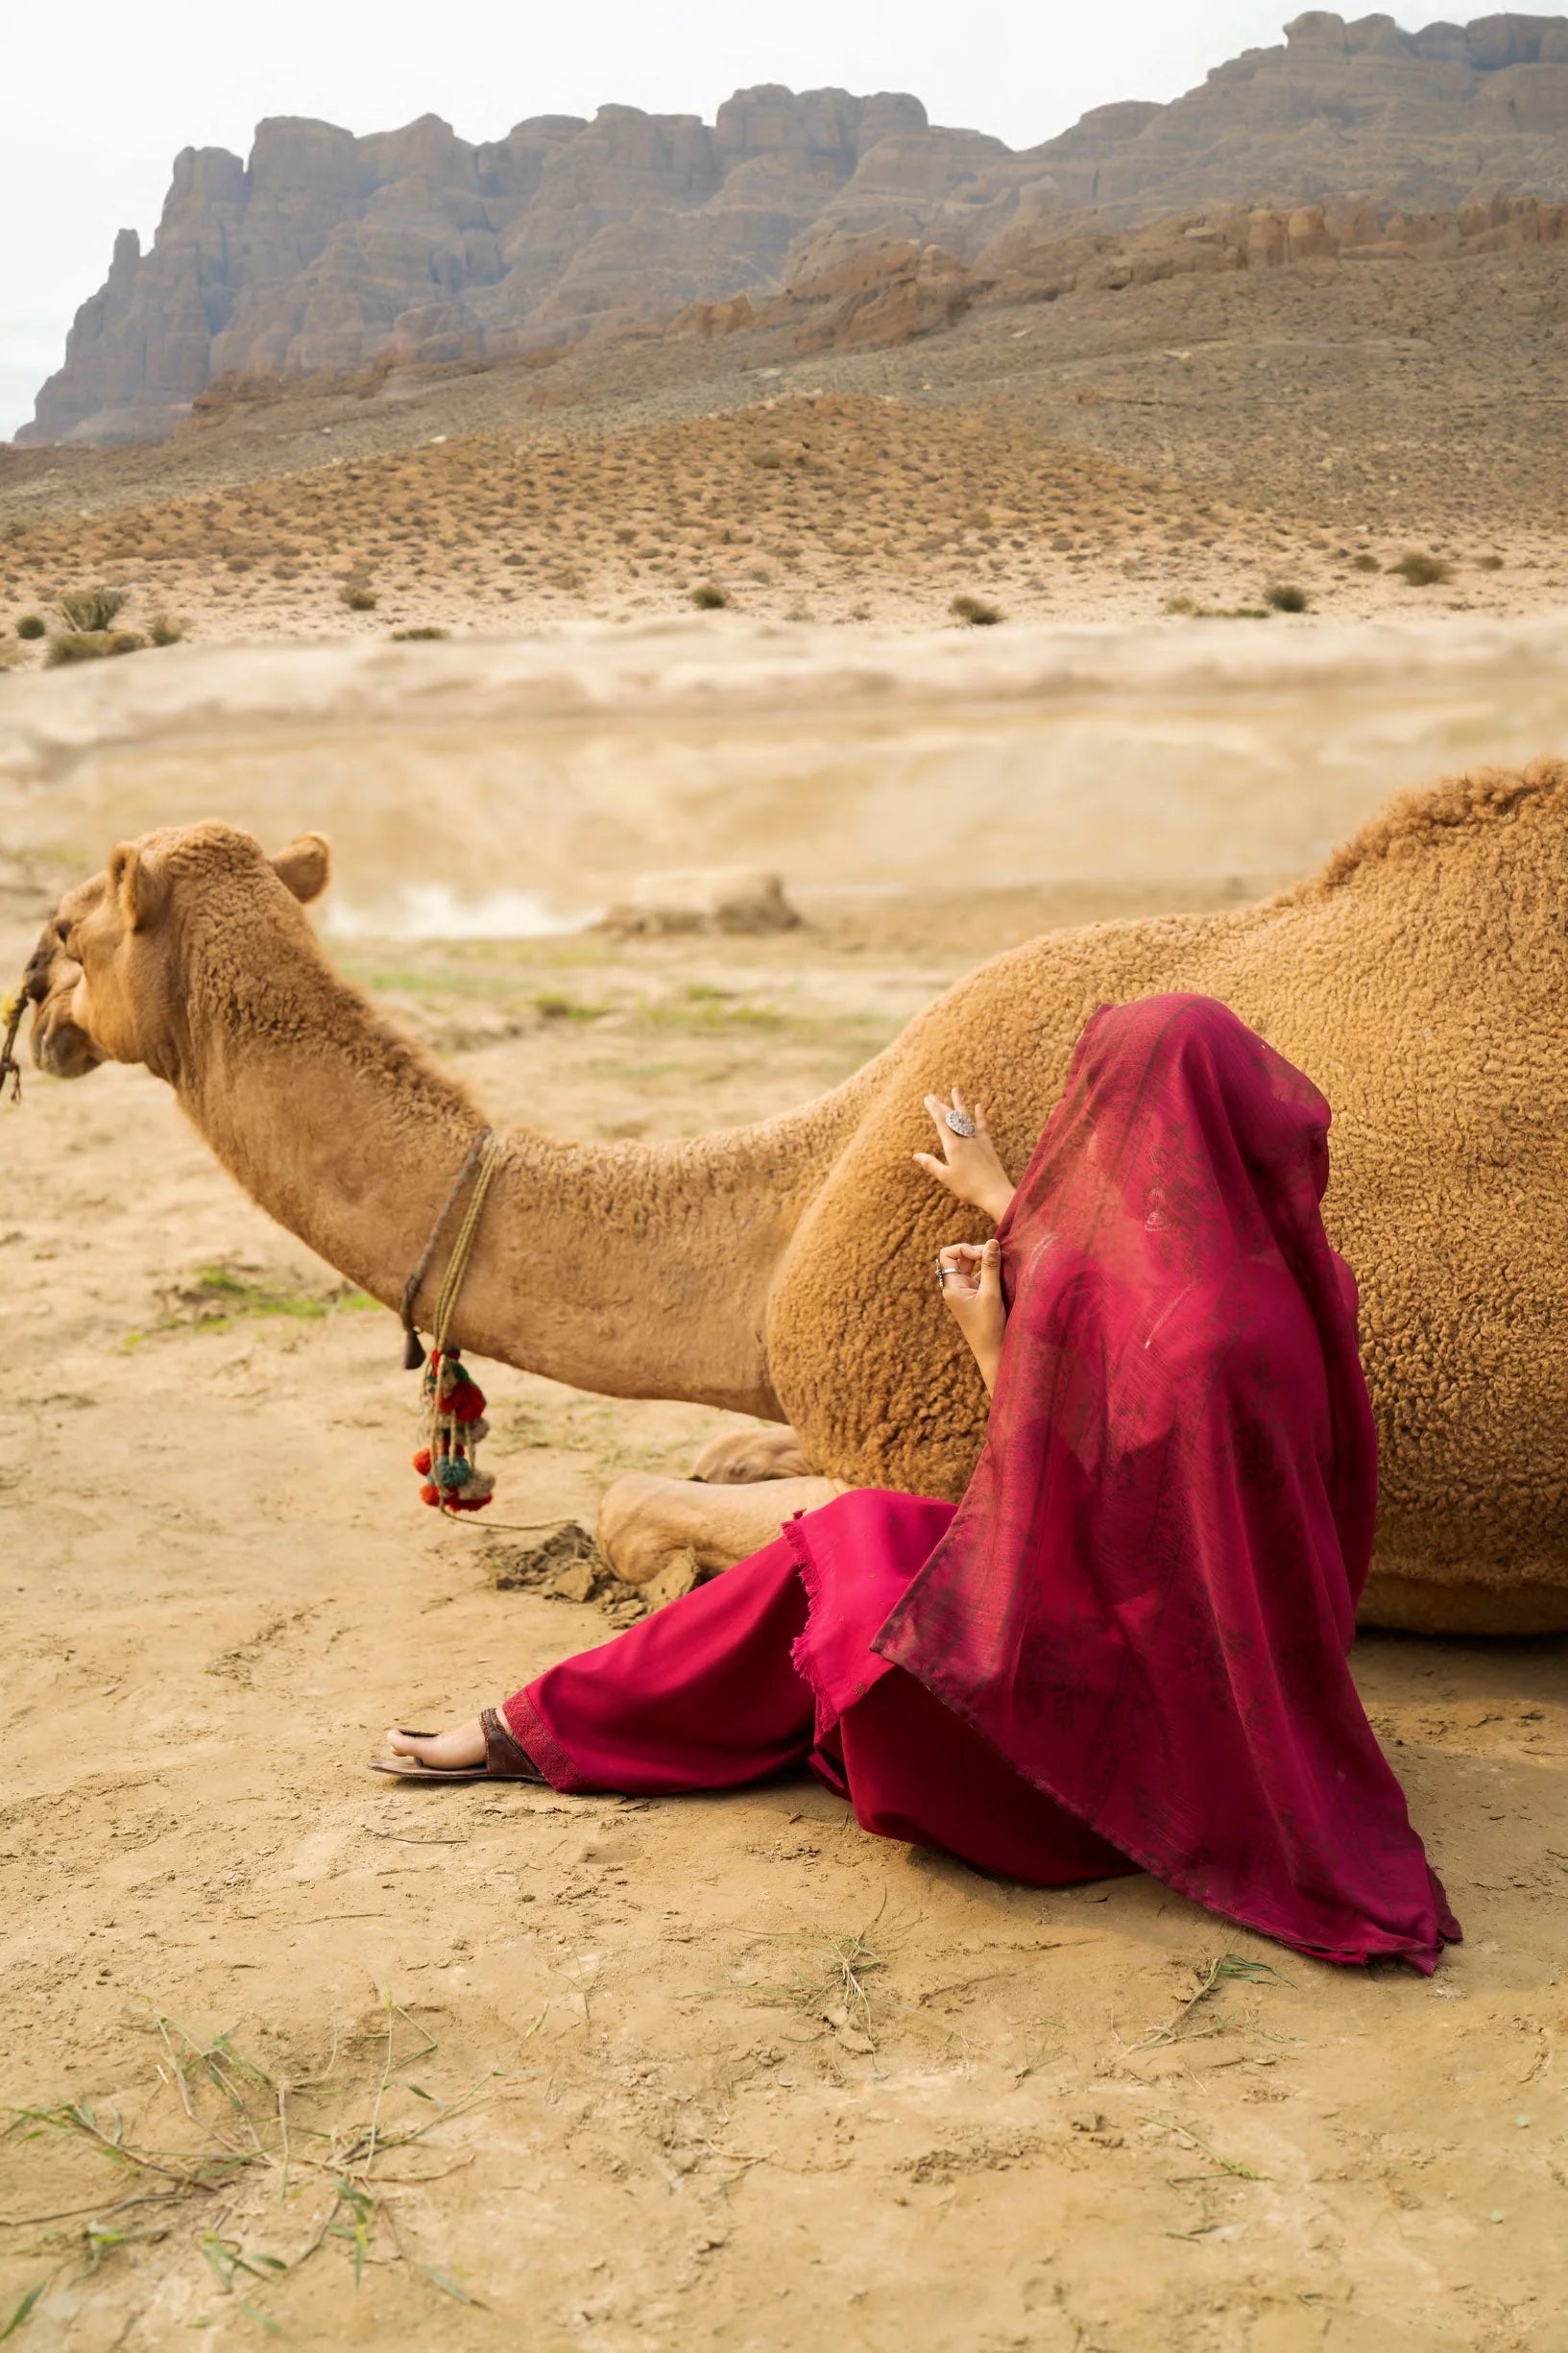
(706, 1695)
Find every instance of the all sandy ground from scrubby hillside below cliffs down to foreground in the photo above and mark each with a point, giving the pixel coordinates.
(716, 2074)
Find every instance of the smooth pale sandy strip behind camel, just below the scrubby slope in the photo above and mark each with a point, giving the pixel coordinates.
(516, 782)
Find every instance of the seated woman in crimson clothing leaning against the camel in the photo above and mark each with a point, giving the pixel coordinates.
(1127, 1646)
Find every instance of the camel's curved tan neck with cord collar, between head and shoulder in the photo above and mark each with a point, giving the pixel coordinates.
(626, 1269)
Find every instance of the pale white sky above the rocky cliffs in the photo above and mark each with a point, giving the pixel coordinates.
(100, 98)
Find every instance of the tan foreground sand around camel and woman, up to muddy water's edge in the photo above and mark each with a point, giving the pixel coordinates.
(718, 2072)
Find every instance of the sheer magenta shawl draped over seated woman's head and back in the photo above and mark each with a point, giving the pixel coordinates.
(1148, 1592)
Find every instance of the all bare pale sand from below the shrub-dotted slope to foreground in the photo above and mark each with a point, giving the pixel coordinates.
(721, 2072)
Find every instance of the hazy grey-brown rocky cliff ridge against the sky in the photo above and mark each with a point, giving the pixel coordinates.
(335, 253)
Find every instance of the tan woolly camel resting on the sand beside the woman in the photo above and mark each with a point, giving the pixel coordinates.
(784, 1269)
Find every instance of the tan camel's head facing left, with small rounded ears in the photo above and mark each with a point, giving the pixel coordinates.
(109, 973)
